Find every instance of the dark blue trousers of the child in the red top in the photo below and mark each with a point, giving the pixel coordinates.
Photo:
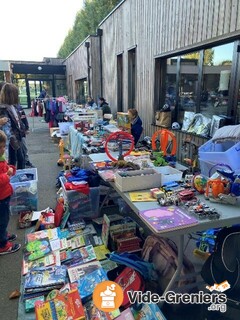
(4, 219)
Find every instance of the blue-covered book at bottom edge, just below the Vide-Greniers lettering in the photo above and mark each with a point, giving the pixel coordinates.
(148, 312)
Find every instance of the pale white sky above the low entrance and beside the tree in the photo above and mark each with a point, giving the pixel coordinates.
(32, 29)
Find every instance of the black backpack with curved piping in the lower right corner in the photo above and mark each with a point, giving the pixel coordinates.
(224, 262)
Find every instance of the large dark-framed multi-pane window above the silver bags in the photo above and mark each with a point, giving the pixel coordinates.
(199, 81)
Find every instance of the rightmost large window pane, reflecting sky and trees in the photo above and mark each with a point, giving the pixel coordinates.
(217, 65)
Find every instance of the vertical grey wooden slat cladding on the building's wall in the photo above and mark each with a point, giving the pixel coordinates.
(153, 28)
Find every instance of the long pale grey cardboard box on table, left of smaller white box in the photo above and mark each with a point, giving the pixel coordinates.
(137, 180)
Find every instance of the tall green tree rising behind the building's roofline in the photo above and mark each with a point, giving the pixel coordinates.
(86, 22)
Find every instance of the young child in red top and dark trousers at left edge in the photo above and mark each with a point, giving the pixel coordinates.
(6, 190)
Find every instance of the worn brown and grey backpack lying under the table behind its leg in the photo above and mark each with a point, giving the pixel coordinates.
(163, 253)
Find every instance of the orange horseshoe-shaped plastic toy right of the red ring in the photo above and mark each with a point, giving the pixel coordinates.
(165, 138)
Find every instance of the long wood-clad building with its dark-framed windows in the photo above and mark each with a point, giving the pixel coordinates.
(150, 52)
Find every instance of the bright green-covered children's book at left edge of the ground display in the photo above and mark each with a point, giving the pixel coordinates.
(37, 249)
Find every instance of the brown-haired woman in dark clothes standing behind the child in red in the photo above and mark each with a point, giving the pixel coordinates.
(14, 128)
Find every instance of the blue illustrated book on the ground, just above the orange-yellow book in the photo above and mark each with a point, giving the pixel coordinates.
(45, 277)
